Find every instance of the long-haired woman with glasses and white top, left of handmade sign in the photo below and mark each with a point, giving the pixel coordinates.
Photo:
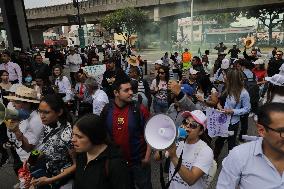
(62, 83)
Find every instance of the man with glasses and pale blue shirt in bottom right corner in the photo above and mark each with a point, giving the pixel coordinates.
(258, 164)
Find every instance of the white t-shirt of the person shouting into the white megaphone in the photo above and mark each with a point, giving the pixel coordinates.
(203, 161)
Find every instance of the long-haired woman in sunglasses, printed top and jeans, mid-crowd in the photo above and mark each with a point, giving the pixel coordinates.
(159, 89)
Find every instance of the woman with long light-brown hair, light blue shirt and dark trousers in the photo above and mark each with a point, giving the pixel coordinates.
(235, 101)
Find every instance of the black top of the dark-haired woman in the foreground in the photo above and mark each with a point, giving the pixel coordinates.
(107, 171)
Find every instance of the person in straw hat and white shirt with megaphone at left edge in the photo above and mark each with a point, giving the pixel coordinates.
(24, 124)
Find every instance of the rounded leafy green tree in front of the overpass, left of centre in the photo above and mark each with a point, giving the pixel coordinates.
(125, 21)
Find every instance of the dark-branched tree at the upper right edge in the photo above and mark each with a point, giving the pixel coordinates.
(269, 17)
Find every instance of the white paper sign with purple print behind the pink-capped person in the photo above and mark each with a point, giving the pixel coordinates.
(217, 122)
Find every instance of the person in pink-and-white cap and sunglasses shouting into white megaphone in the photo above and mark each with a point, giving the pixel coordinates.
(194, 153)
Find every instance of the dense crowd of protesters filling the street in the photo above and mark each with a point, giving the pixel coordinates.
(73, 131)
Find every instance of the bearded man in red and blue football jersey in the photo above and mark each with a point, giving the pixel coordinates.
(125, 122)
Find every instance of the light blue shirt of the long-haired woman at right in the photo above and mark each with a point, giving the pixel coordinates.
(240, 108)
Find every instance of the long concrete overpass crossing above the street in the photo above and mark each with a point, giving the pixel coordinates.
(40, 19)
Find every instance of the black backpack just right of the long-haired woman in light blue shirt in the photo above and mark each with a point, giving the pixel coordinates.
(253, 89)
